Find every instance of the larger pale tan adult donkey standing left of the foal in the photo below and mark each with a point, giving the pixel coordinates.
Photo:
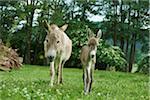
(58, 48)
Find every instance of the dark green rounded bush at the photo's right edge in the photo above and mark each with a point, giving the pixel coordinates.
(143, 65)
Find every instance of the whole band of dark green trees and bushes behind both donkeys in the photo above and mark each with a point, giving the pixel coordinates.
(125, 28)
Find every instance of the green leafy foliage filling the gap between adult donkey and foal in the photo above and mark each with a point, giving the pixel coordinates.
(78, 33)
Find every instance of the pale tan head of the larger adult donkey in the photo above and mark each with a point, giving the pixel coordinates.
(54, 40)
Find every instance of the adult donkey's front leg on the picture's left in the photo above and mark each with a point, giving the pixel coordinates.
(52, 73)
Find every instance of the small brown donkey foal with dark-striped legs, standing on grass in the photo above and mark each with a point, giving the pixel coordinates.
(88, 59)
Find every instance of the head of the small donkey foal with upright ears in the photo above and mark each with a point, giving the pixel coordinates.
(93, 42)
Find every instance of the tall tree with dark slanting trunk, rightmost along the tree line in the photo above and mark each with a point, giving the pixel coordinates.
(138, 18)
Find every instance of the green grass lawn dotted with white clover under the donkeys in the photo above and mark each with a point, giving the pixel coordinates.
(32, 83)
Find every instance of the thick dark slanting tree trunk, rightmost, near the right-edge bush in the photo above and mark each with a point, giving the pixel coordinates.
(132, 52)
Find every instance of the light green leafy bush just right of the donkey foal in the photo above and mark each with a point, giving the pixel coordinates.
(111, 55)
